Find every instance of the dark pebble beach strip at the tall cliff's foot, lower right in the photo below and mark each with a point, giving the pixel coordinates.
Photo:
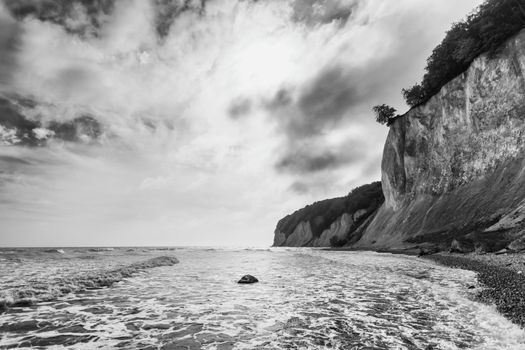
(503, 277)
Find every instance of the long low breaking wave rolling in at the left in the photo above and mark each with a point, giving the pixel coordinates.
(46, 291)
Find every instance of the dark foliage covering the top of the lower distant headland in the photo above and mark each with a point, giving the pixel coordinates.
(323, 213)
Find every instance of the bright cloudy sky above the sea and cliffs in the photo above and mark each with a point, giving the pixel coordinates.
(183, 122)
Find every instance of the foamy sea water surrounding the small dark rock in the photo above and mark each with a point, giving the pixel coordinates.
(140, 298)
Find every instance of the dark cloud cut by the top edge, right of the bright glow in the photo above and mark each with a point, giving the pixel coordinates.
(314, 12)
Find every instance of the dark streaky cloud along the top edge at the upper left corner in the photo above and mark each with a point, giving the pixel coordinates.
(84, 17)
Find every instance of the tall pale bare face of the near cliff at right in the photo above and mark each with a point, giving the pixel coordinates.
(454, 168)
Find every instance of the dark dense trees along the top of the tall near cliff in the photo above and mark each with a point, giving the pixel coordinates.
(484, 30)
